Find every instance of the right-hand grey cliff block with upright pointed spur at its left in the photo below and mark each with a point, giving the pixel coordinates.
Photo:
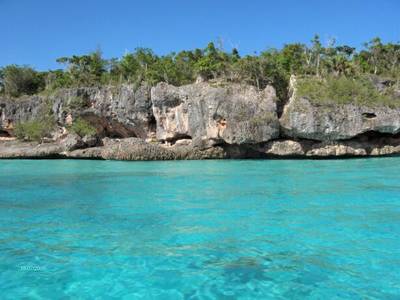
(303, 119)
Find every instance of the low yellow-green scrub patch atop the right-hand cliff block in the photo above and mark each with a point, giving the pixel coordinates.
(343, 90)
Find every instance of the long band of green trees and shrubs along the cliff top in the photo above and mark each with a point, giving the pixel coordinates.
(273, 66)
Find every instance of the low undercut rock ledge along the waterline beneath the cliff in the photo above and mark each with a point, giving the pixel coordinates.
(138, 149)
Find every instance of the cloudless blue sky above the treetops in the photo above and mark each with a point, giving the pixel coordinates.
(36, 32)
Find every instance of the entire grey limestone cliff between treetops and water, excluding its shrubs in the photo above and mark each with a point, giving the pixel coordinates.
(198, 121)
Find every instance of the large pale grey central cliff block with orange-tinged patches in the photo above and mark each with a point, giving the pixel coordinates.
(212, 115)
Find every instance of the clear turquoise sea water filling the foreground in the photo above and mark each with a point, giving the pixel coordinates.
(280, 229)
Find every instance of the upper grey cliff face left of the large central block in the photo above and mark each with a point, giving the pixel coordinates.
(122, 111)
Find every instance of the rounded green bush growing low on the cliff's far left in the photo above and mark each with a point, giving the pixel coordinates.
(34, 130)
